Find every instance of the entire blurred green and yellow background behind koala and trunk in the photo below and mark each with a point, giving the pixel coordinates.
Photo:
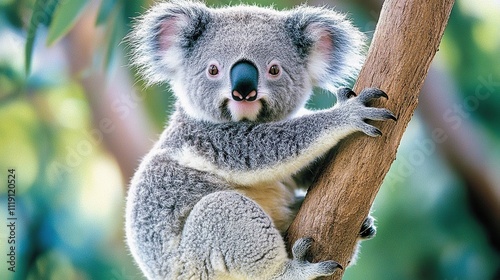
(75, 127)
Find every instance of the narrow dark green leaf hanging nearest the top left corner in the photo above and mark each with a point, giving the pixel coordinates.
(42, 13)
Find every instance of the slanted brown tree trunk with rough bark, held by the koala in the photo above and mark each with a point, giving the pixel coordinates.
(405, 41)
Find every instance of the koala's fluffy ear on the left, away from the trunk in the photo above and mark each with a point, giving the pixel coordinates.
(159, 37)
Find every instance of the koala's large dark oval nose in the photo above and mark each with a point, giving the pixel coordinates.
(244, 79)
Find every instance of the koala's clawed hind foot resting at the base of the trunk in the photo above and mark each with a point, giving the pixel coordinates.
(300, 268)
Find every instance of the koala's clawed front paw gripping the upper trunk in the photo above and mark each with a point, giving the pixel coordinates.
(356, 111)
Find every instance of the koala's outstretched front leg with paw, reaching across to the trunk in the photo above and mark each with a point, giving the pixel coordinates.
(248, 153)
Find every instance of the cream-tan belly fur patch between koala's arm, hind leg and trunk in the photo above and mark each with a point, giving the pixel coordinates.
(275, 198)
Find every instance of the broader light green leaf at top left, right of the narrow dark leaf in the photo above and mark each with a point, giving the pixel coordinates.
(65, 17)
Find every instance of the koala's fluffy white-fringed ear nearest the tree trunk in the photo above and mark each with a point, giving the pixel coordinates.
(332, 45)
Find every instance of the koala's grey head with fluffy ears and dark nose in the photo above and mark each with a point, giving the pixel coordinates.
(244, 62)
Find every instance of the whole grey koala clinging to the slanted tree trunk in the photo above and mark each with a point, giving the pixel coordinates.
(213, 197)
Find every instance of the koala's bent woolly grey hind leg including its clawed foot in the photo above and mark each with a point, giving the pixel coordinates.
(228, 236)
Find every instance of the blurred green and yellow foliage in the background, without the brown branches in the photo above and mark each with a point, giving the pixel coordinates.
(70, 192)
